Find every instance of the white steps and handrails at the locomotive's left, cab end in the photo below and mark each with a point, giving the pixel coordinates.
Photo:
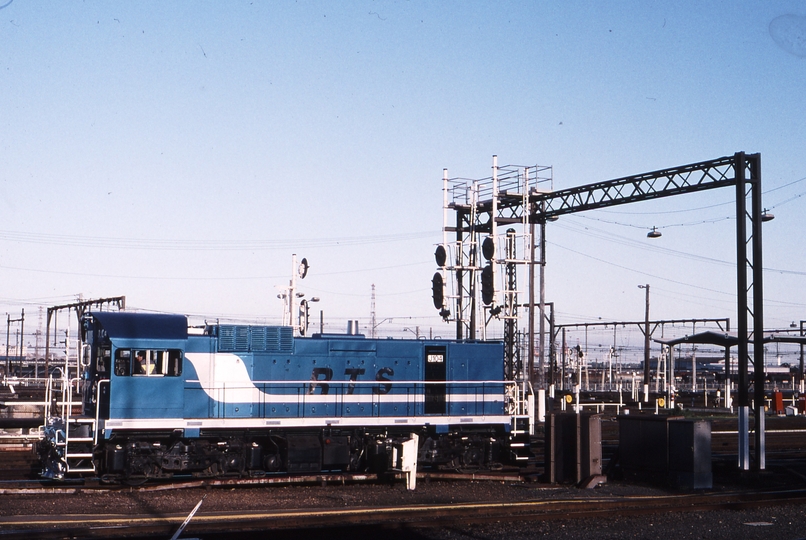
(79, 434)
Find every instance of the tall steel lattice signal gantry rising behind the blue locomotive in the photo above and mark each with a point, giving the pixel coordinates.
(477, 214)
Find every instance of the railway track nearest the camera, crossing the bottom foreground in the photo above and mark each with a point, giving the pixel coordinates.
(241, 523)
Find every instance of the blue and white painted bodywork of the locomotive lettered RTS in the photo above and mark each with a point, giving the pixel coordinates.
(253, 377)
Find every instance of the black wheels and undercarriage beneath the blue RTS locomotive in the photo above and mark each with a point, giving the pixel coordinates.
(256, 454)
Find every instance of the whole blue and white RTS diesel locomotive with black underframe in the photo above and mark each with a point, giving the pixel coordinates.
(161, 399)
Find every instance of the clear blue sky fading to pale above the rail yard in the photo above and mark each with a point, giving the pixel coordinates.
(179, 153)
